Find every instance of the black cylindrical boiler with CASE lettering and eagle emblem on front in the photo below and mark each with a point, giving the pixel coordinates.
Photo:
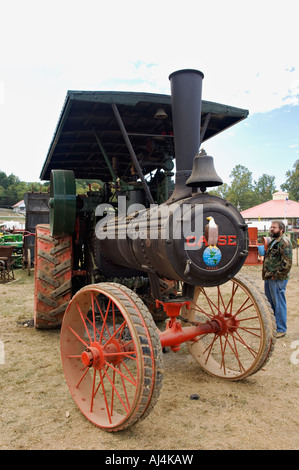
(173, 240)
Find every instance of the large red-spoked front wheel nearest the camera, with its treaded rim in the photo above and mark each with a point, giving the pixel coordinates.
(111, 355)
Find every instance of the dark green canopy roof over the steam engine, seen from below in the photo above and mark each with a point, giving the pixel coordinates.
(88, 129)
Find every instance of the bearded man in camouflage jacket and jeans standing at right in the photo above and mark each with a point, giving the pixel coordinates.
(277, 264)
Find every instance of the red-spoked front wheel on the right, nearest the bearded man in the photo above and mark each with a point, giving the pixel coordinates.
(246, 336)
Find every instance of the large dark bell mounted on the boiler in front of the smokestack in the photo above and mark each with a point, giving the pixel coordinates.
(203, 173)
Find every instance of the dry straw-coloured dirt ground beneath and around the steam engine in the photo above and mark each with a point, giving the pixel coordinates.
(37, 411)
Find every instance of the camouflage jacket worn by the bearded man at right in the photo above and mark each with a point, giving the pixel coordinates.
(278, 259)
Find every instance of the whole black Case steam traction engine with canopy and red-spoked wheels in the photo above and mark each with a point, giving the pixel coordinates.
(135, 250)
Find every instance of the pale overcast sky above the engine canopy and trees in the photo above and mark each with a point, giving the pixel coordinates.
(247, 50)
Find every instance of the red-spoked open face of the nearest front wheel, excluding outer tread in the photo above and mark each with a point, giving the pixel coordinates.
(108, 390)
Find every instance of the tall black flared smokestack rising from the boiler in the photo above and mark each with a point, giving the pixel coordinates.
(186, 87)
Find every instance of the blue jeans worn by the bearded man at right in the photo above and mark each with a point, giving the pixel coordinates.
(275, 292)
